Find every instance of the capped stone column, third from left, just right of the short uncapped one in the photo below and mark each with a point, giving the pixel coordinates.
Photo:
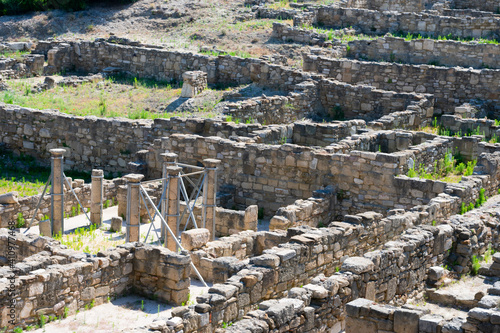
(133, 203)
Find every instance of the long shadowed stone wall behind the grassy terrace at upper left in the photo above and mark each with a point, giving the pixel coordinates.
(168, 65)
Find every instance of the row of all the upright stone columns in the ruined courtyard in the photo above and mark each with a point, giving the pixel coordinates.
(170, 205)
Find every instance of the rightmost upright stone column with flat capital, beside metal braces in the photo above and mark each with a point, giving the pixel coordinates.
(209, 195)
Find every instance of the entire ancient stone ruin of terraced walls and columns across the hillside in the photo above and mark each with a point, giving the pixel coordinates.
(355, 192)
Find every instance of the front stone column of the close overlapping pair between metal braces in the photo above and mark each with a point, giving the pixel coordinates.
(173, 194)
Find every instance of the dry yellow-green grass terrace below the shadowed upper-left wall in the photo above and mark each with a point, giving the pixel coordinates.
(115, 97)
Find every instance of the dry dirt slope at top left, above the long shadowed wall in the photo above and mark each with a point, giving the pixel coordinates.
(182, 24)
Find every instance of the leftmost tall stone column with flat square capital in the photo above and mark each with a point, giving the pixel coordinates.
(57, 192)
